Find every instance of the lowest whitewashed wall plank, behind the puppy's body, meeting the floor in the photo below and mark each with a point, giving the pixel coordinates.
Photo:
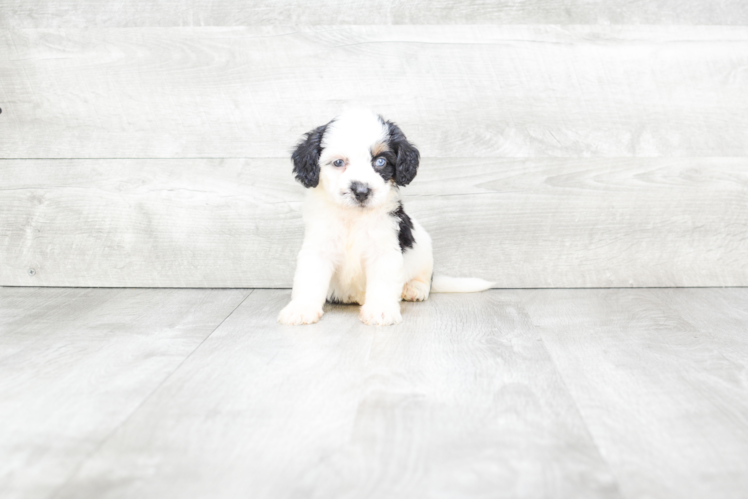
(237, 223)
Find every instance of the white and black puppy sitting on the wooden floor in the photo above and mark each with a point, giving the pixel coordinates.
(360, 247)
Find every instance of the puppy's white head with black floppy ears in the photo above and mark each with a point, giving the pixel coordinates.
(357, 159)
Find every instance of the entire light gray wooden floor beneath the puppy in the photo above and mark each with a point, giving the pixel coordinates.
(508, 393)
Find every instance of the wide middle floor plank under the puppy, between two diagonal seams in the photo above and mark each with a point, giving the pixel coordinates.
(461, 400)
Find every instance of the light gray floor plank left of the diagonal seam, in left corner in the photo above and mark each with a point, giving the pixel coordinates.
(71, 374)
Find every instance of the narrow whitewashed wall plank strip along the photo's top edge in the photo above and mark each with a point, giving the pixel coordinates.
(141, 13)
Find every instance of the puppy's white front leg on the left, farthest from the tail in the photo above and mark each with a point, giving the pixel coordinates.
(310, 284)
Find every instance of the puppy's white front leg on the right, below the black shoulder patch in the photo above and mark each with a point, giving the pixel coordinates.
(384, 284)
